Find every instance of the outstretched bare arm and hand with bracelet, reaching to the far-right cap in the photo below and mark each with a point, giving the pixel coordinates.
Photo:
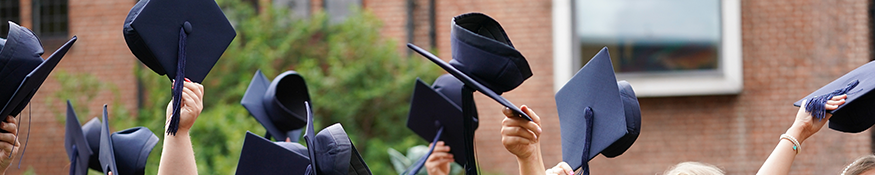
(781, 159)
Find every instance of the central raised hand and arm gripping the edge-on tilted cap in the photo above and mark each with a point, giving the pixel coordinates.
(520, 138)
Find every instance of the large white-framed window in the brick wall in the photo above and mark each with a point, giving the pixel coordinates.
(663, 48)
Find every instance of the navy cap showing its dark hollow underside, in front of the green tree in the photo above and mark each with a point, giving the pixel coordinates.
(278, 105)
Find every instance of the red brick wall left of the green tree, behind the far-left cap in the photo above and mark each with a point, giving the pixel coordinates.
(100, 51)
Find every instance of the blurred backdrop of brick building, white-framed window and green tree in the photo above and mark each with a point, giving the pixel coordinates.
(359, 74)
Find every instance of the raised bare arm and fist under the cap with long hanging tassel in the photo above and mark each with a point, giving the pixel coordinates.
(178, 154)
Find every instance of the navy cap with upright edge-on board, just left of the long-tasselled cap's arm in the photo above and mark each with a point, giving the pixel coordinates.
(126, 151)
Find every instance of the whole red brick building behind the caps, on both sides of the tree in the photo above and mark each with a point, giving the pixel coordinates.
(787, 49)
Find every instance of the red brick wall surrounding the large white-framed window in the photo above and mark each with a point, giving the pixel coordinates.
(790, 48)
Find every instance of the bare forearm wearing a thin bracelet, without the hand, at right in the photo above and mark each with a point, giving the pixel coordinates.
(781, 159)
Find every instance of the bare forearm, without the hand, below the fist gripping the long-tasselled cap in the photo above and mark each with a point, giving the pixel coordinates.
(178, 155)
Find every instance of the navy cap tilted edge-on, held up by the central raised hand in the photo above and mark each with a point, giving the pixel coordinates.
(483, 58)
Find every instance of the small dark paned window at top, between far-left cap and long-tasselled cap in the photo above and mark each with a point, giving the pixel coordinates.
(50, 18)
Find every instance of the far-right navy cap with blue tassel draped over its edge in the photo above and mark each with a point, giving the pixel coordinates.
(855, 115)
